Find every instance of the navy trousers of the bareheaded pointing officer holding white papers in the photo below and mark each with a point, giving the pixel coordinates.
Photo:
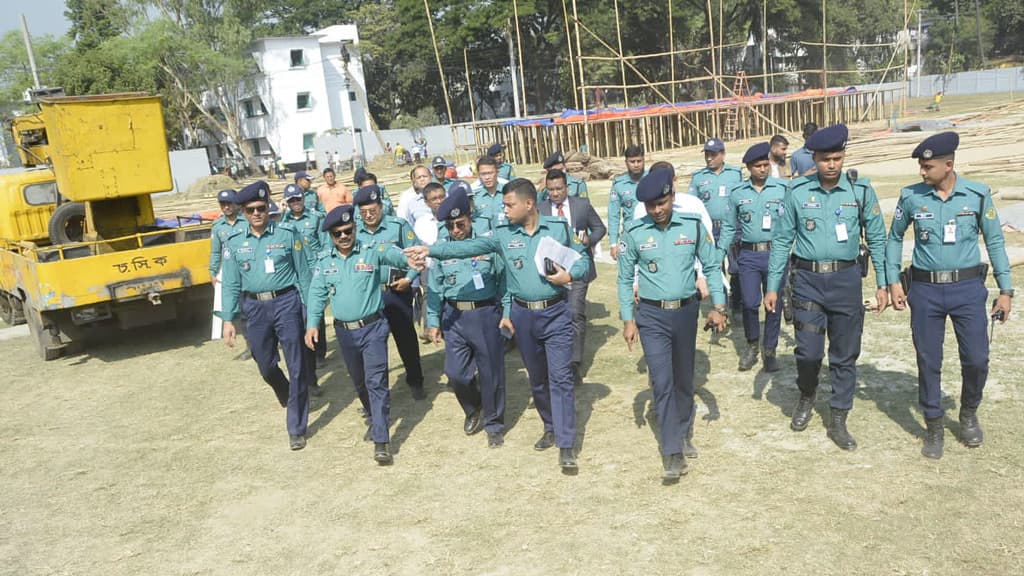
(545, 342)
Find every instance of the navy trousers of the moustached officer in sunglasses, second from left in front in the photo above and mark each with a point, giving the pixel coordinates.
(365, 351)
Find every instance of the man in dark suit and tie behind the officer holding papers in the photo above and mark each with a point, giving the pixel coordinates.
(589, 229)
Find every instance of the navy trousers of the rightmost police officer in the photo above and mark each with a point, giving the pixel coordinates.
(964, 303)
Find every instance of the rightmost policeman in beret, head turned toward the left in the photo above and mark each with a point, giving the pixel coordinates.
(948, 279)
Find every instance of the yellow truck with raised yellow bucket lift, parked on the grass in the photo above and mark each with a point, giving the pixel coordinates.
(81, 251)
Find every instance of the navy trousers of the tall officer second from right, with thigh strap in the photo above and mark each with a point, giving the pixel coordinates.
(829, 304)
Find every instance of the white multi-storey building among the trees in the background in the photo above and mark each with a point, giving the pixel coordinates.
(307, 88)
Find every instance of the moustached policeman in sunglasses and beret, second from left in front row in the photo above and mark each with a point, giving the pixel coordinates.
(351, 274)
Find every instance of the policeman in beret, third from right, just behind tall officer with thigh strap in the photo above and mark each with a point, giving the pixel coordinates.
(753, 208)
